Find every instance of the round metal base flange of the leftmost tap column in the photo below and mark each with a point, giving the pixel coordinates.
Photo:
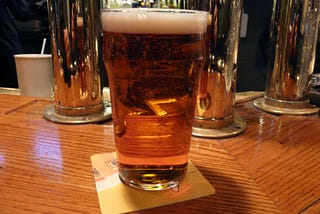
(51, 115)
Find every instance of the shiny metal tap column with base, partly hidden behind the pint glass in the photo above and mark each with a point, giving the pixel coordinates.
(214, 116)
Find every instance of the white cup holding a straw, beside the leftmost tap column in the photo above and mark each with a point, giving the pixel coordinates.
(34, 72)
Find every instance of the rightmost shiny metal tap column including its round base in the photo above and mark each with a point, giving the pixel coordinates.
(293, 40)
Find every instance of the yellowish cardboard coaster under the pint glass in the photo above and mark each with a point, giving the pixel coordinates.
(116, 197)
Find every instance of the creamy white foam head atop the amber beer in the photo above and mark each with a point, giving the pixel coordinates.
(158, 21)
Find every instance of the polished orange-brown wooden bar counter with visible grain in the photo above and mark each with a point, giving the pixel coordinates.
(273, 167)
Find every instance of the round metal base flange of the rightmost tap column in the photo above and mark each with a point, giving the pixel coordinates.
(285, 107)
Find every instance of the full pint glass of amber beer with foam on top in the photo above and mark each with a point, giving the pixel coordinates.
(153, 59)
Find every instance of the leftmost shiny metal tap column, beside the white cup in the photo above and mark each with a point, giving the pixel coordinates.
(75, 30)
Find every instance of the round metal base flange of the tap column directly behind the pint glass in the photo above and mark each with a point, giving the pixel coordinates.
(236, 128)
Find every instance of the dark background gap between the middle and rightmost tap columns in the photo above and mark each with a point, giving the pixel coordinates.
(252, 59)
